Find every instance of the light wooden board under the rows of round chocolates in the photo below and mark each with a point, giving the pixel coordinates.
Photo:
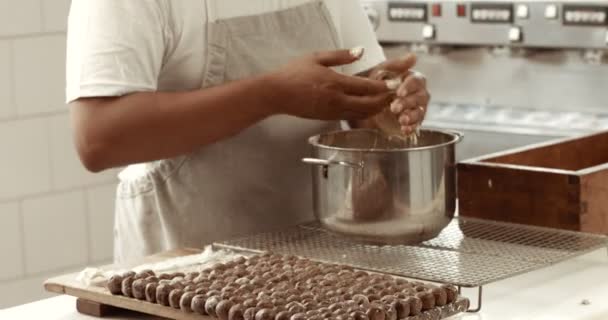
(95, 300)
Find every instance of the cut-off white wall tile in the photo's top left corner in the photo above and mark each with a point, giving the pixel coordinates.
(19, 17)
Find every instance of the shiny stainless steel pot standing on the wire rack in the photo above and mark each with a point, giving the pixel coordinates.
(382, 190)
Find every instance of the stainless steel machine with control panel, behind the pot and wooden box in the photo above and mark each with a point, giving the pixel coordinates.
(505, 73)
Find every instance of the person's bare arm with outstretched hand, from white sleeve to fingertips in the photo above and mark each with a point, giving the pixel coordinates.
(140, 127)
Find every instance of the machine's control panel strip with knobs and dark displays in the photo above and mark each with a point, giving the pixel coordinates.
(557, 24)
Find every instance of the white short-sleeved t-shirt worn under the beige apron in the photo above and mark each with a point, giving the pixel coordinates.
(116, 47)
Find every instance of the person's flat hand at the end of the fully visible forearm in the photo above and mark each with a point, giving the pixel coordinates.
(309, 88)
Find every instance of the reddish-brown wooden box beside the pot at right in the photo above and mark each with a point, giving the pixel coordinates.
(561, 184)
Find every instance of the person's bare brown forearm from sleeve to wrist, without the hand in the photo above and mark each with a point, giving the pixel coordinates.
(144, 127)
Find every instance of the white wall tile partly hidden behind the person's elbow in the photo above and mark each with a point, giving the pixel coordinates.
(68, 171)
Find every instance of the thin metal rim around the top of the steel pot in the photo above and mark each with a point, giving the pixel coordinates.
(457, 137)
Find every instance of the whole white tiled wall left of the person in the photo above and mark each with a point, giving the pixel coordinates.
(55, 216)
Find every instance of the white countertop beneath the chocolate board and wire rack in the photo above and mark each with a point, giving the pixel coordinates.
(553, 293)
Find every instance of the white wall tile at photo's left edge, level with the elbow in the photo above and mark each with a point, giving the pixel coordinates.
(25, 165)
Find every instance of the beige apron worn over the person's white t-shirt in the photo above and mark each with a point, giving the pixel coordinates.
(250, 183)
